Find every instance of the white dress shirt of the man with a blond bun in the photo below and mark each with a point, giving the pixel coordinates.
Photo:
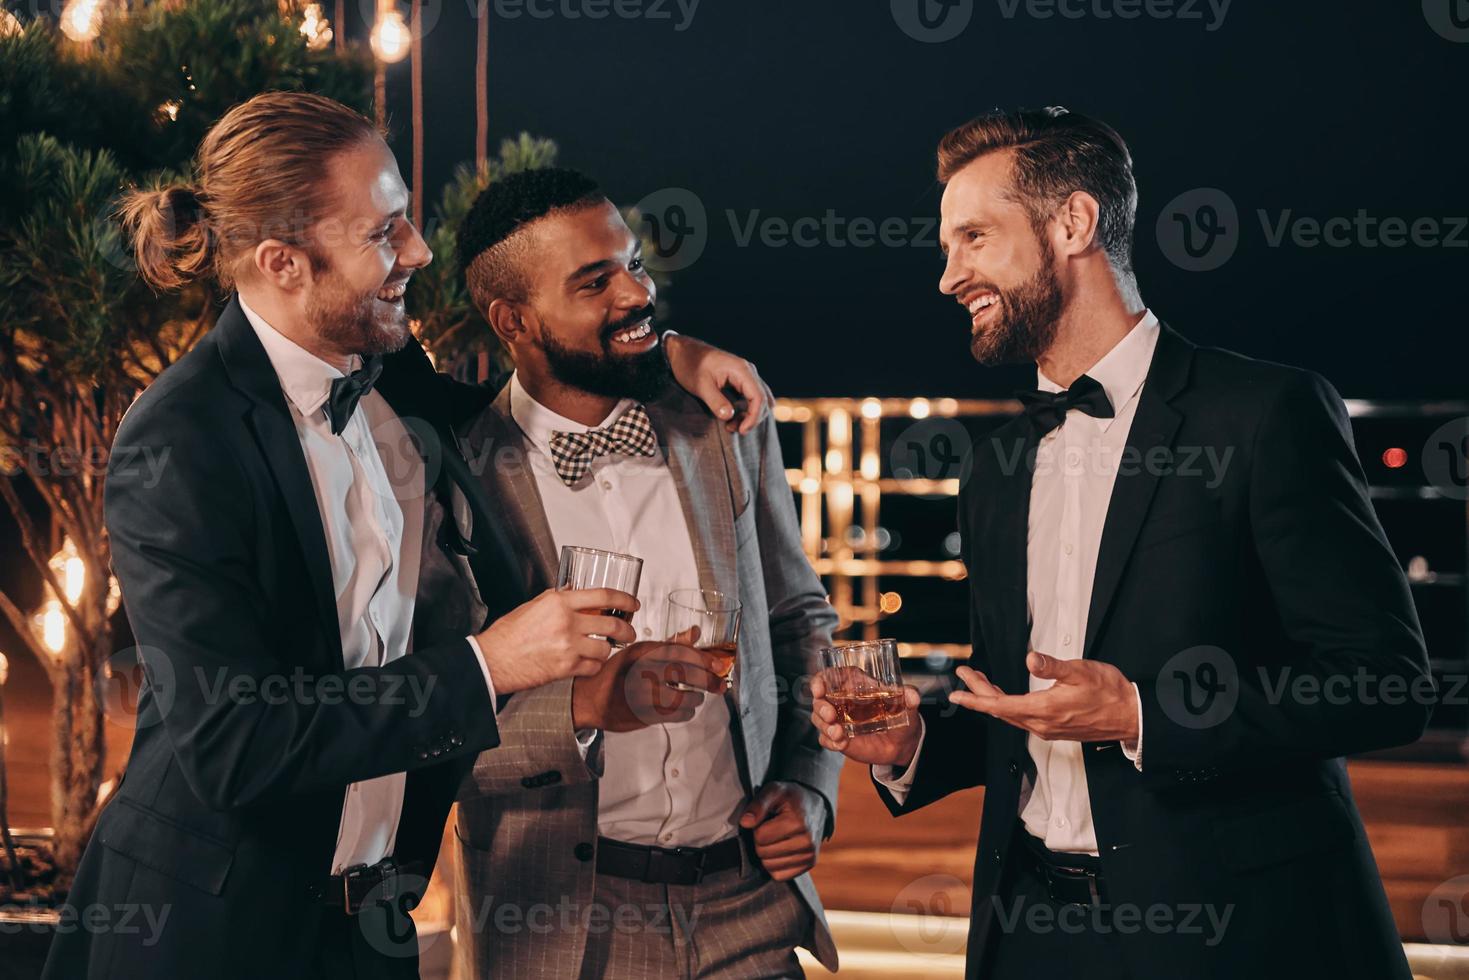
(369, 490)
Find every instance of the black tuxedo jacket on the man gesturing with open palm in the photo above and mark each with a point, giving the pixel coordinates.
(1230, 594)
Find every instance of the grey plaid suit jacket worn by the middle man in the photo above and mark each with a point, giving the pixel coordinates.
(528, 812)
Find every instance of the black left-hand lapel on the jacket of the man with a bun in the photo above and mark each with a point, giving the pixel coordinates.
(252, 374)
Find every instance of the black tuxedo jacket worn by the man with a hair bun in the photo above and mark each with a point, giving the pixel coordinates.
(250, 729)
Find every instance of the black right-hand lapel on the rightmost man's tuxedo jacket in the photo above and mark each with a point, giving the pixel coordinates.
(1154, 430)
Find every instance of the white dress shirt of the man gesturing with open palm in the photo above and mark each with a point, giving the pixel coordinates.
(1072, 489)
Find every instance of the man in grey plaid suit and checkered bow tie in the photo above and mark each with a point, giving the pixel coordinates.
(624, 829)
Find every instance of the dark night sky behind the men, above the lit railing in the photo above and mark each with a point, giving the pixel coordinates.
(1293, 109)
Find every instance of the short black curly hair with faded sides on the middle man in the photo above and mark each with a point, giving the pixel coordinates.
(490, 248)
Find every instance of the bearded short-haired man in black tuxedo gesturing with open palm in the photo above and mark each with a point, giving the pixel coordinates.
(1161, 800)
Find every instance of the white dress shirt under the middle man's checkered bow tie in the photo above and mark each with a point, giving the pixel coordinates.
(668, 785)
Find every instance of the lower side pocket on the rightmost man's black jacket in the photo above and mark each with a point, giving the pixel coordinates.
(1279, 835)
